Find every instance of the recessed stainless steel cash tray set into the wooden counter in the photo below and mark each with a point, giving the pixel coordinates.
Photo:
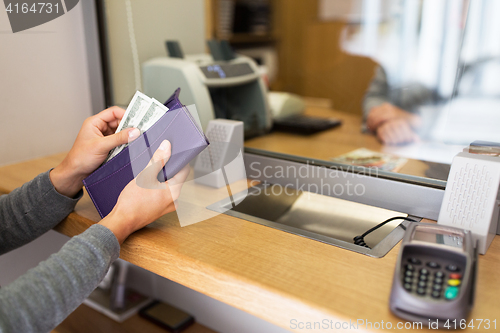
(326, 219)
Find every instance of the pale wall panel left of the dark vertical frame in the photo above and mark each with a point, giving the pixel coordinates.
(44, 87)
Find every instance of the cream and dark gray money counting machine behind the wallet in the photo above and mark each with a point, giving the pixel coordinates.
(229, 88)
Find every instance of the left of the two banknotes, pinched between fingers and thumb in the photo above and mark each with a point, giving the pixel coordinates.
(133, 115)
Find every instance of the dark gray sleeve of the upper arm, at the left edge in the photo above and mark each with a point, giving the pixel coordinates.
(30, 211)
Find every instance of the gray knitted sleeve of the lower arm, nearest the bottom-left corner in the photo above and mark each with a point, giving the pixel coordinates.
(43, 297)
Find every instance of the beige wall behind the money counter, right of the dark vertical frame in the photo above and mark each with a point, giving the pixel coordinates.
(154, 22)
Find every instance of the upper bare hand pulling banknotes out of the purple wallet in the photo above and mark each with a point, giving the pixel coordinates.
(96, 137)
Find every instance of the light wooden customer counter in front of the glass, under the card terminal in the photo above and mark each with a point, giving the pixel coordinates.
(277, 276)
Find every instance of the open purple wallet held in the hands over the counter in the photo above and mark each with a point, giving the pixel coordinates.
(177, 126)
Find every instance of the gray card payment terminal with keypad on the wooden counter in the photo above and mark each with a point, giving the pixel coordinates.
(435, 275)
